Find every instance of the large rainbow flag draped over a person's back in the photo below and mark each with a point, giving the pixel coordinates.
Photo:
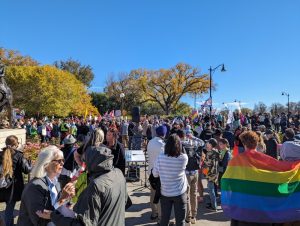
(259, 188)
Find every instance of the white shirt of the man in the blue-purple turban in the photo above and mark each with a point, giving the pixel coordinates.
(154, 148)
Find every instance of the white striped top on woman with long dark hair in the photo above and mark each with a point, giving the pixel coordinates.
(171, 171)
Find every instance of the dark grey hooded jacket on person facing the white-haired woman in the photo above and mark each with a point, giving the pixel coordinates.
(103, 201)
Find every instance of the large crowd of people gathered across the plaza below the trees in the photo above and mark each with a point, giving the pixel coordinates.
(181, 151)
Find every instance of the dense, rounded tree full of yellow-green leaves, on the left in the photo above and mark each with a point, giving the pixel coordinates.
(48, 90)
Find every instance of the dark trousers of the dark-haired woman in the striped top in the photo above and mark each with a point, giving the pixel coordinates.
(180, 205)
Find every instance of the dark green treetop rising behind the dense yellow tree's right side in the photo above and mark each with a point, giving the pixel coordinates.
(83, 73)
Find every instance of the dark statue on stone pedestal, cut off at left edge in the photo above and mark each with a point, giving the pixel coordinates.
(6, 97)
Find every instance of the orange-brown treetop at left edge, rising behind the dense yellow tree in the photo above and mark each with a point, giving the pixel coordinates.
(14, 58)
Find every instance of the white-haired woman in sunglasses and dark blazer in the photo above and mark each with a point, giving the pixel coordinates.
(43, 191)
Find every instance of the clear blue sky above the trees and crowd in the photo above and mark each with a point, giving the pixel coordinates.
(258, 40)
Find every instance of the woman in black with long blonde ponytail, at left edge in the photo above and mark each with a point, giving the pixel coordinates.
(12, 165)
